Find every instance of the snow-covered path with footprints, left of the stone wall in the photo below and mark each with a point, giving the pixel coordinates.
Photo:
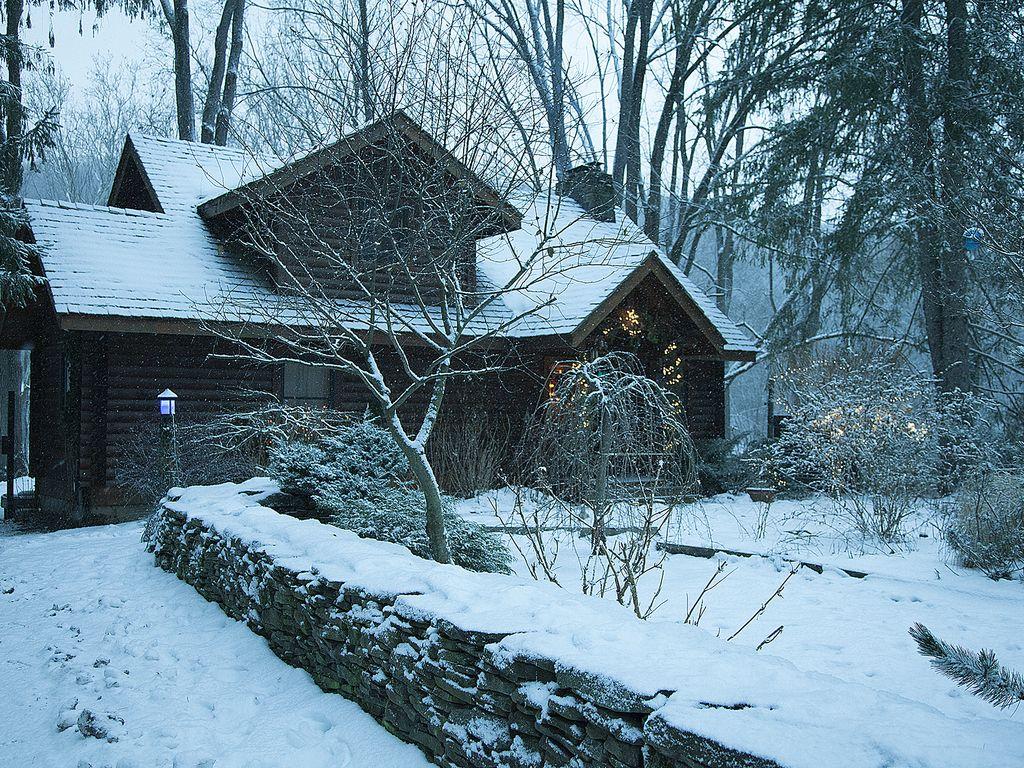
(93, 626)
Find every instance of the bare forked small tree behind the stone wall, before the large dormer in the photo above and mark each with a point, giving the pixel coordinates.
(374, 257)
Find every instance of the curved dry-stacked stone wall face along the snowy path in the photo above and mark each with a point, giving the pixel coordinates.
(457, 694)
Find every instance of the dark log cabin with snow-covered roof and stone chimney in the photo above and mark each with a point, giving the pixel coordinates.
(133, 291)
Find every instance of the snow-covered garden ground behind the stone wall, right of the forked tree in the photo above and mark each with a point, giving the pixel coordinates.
(856, 629)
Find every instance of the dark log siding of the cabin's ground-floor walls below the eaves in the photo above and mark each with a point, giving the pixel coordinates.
(92, 392)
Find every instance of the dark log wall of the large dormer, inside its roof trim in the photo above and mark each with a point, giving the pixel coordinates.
(353, 211)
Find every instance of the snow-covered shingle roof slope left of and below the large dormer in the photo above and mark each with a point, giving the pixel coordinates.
(127, 264)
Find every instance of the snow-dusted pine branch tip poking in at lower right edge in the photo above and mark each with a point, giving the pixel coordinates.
(980, 673)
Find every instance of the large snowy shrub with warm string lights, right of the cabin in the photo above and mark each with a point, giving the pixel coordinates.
(874, 436)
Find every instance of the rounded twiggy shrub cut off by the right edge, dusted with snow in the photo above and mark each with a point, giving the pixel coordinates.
(986, 527)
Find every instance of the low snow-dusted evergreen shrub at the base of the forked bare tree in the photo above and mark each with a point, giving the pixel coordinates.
(358, 480)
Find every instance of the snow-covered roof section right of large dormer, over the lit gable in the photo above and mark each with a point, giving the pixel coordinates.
(580, 264)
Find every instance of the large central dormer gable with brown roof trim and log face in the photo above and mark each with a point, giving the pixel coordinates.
(386, 206)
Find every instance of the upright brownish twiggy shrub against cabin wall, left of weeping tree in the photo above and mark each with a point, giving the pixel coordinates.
(468, 450)
